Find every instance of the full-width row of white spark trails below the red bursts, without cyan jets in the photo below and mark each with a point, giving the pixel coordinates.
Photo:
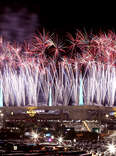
(28, 83)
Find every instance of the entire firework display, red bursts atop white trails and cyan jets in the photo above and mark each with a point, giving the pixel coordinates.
(44, 72)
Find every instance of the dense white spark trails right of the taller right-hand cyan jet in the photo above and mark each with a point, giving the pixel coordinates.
(100, 85)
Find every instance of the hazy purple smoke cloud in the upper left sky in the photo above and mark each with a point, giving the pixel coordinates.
(18, 25)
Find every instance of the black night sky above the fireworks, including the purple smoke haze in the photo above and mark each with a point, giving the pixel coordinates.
(19, 19)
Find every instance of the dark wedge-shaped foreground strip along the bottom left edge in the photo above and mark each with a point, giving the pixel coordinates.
(13, 148)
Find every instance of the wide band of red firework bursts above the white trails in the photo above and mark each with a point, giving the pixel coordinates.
(83, 48)
